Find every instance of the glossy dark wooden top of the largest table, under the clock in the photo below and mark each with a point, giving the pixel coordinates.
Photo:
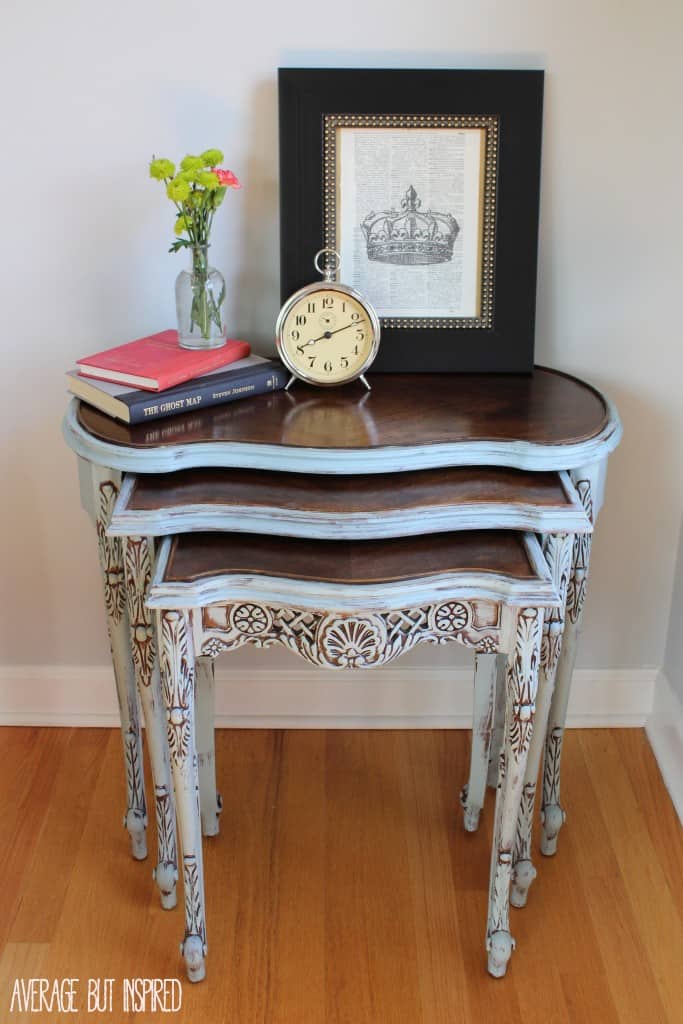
(545, 408)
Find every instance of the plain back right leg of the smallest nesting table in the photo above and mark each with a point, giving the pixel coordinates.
(473, 794)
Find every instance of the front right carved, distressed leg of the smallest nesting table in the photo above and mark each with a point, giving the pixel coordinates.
(523, 681)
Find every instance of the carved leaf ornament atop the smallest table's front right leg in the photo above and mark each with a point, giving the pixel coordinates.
(524, 678)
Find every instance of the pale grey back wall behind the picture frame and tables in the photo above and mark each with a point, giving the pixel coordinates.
(92, 91)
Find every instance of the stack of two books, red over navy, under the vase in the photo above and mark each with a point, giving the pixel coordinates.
(154, 377)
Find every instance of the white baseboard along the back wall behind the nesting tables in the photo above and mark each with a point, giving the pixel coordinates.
(390, 698)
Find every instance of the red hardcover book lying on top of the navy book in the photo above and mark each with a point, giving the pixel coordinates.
(158, 363)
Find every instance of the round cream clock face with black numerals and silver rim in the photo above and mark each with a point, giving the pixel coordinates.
(327, 335)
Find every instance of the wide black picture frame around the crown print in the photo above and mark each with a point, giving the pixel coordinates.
(502, 343)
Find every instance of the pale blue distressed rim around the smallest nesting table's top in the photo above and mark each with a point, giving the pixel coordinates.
(352, 598)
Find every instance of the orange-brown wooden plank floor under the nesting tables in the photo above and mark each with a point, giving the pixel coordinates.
(344, 888)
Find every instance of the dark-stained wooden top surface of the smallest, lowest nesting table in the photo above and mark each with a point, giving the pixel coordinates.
(196, 557)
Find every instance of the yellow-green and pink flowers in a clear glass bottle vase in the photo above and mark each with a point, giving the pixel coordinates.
(197, 190)
